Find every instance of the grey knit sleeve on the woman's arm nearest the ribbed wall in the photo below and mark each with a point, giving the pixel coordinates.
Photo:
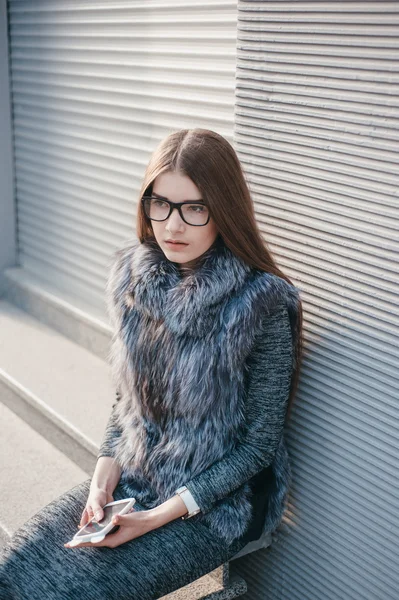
(270, 365)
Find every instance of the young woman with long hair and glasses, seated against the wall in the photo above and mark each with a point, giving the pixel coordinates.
(205, 359)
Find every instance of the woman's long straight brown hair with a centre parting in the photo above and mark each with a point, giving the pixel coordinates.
(210, 161)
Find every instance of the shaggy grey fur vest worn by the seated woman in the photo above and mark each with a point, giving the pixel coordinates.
(178, 360)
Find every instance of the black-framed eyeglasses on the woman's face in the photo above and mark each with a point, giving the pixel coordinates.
(160, 209)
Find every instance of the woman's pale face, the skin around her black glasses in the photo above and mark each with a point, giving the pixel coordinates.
(177, 187)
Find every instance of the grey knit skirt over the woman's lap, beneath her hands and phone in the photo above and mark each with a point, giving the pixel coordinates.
(34, 565)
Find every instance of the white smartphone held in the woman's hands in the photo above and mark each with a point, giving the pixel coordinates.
(96, 532)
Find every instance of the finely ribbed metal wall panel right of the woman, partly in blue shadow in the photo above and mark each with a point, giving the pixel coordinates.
(317, 133)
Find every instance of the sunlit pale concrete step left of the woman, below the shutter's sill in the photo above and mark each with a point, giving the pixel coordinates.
(64, 389)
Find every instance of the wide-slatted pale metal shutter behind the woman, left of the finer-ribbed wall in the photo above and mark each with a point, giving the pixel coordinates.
(95, 87)
